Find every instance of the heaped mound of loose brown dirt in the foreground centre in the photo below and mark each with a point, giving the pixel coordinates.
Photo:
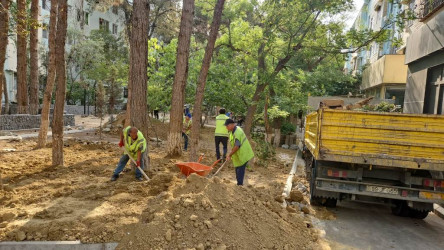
(213, 213)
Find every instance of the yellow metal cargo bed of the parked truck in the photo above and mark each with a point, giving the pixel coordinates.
(383, 139)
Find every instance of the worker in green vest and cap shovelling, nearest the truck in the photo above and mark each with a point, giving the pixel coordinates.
(241, 151)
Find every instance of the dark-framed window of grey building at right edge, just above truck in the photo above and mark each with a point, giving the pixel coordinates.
(434, 95)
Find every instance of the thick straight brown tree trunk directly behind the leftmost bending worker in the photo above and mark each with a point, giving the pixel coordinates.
(138, 66)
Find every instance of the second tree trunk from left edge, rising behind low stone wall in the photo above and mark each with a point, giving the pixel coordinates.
(22, 88)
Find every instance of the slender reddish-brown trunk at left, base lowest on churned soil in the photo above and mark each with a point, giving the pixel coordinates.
(57, 123)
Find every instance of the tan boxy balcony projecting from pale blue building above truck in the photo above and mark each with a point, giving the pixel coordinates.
(389, 69)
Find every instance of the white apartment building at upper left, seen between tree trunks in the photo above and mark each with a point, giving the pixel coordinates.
(81, 16)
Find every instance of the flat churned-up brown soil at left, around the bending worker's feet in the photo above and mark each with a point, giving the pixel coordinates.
(77, 201)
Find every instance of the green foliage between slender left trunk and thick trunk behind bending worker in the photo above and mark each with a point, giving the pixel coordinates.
(101, 57)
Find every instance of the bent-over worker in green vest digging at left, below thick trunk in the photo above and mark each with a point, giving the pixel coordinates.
(135, 144)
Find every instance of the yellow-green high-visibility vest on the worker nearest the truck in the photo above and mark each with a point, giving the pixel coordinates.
(245, 152)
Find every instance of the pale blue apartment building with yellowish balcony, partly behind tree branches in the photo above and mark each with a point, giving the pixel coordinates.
(381, 64)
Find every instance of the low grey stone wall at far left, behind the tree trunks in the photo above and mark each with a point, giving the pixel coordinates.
(16, 122)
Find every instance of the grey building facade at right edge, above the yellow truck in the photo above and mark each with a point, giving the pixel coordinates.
(425, 59)
